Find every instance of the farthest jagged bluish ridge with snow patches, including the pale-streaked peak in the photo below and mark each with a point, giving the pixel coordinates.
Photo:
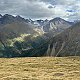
(47, 27)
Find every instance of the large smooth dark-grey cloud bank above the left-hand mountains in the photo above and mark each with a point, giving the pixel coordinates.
(27, 8)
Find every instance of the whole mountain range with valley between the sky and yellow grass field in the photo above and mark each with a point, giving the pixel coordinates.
(21, 37)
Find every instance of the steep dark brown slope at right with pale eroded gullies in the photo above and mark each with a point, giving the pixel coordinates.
(67, 43)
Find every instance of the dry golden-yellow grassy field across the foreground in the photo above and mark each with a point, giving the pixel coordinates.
(44, 68)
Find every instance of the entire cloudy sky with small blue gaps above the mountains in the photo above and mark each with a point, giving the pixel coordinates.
(42, 9)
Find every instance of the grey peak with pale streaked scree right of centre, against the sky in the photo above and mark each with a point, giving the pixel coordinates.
(56, 26)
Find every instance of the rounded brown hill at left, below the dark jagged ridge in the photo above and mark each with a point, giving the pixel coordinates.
(17, 29)
